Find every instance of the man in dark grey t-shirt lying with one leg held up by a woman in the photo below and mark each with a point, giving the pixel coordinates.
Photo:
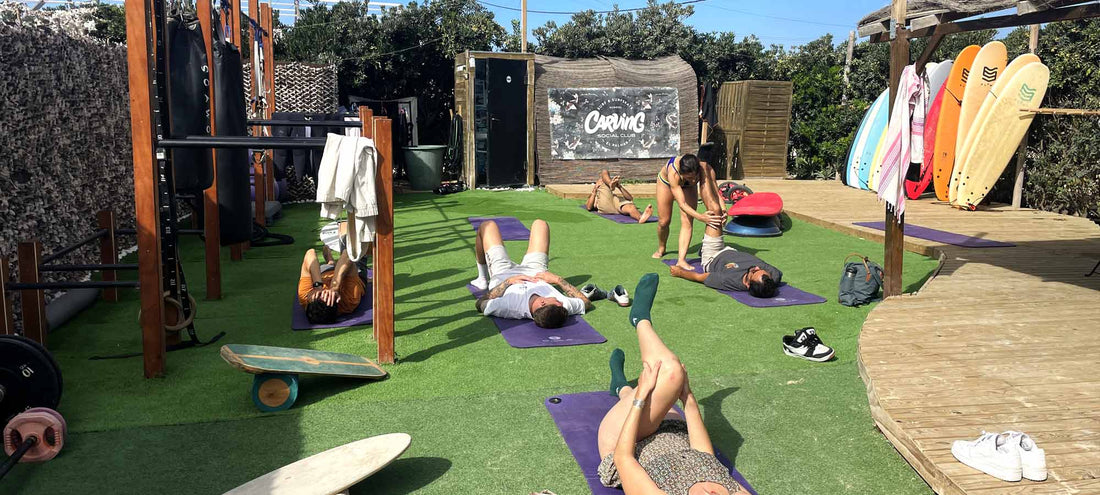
(727, 269)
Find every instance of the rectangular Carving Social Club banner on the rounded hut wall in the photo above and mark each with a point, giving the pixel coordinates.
(592, 124)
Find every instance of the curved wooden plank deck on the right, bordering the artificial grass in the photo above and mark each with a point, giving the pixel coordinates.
(1003, 338)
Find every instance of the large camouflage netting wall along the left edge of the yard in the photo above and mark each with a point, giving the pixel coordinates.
(64, 134)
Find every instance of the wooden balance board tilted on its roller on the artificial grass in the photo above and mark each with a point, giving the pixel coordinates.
(276, 387)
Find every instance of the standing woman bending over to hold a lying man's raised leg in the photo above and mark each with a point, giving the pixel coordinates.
(678, 181)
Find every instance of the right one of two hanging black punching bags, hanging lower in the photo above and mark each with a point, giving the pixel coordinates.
(232, 119)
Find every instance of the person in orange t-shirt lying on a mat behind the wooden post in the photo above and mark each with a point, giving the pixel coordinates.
(328, 291)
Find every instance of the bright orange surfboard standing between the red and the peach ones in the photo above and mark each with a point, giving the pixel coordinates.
(948, 126)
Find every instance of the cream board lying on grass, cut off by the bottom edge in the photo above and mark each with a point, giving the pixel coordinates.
(331, 472)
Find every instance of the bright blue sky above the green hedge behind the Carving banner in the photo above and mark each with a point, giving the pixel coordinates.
(786, 23)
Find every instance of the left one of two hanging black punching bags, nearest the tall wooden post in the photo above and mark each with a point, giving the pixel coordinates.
(189, 102)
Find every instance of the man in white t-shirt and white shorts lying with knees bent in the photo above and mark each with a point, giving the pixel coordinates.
(525, 290)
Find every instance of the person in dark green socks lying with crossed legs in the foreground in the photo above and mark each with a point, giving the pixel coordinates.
(646, 446)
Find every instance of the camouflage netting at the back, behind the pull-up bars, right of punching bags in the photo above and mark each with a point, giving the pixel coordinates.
(302, 87)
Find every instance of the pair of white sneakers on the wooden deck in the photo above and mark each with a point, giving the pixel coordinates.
(1010, 456)
